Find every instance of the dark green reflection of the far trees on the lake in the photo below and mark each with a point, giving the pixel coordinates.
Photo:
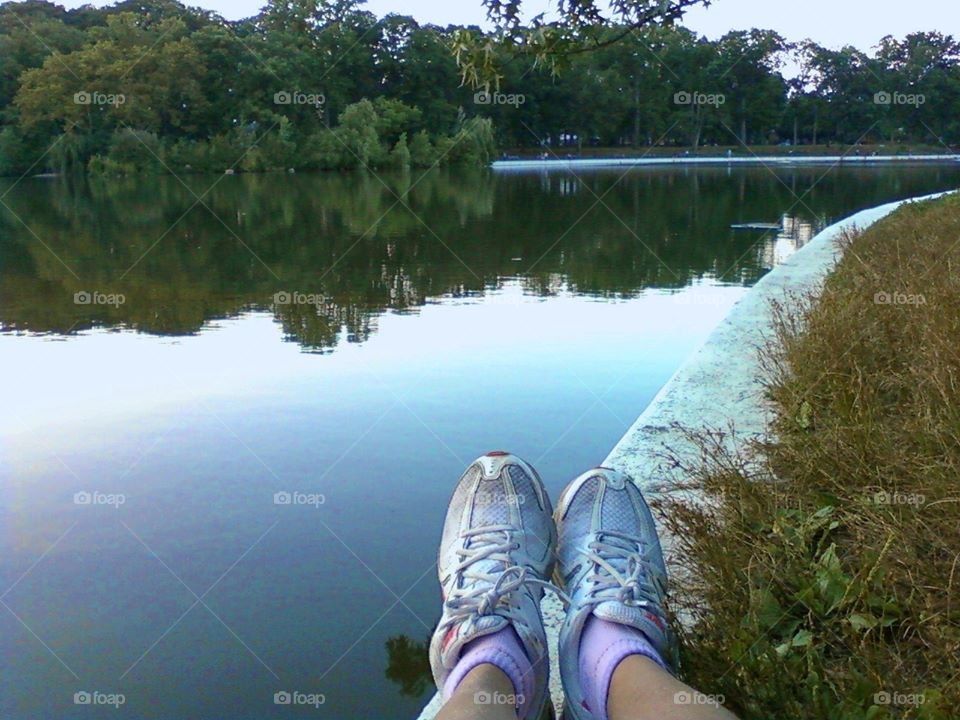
(355, 246)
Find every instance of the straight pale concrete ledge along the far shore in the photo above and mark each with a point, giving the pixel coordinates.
(566, 164)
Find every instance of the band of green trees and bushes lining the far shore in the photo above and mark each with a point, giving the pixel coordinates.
(158, 87)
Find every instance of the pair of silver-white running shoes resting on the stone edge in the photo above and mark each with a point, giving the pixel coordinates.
(501, 545)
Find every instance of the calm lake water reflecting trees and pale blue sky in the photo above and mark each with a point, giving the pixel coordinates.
(180, 359)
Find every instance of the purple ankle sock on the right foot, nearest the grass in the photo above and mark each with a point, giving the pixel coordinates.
(603, 645)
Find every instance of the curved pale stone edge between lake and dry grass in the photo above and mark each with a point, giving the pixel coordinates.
(716, 387)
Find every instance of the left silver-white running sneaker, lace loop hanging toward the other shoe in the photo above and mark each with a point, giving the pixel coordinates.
(497, 552)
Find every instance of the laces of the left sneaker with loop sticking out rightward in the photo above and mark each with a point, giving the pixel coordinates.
(484, 589)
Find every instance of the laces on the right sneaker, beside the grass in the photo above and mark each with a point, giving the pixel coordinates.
(623, 572)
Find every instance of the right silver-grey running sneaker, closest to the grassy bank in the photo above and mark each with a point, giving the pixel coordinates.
(611, 565)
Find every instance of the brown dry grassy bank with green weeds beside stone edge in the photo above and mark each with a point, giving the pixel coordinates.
(826, 571)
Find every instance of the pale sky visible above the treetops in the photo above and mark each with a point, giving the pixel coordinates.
(830, 22)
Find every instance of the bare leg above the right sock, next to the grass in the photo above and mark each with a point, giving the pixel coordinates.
(641, 690)
